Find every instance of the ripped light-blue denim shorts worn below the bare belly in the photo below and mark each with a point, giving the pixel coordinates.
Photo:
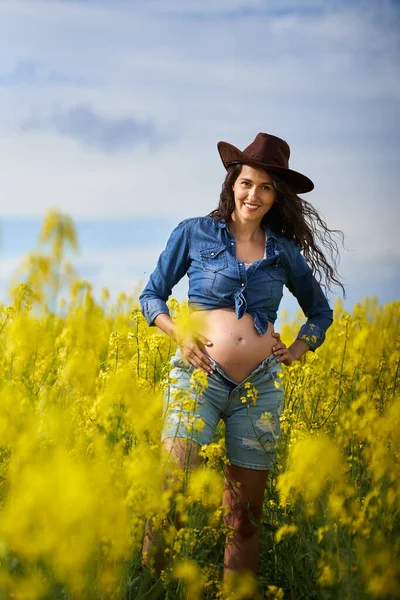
(252, 427)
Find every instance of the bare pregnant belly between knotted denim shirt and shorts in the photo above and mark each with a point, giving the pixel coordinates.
(237, 346)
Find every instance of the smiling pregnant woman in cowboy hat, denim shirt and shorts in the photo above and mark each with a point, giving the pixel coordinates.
(238, 259)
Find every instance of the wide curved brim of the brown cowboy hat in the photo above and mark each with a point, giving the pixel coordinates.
(230, 155)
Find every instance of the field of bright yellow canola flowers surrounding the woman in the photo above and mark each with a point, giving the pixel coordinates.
(81, 469)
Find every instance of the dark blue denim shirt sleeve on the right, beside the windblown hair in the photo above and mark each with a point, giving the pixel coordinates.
(312, 300)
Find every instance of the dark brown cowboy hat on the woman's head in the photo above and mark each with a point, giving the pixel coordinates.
(270, 153)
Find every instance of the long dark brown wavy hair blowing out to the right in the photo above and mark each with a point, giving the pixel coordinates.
(295, 219)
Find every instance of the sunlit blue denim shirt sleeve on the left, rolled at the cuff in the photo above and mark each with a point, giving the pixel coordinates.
(171, 266)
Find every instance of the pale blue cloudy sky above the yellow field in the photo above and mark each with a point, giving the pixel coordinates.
(111, 112)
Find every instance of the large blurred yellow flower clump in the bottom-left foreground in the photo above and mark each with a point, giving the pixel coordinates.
(62, 511)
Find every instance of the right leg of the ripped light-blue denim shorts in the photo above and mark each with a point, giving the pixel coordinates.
(253, 429)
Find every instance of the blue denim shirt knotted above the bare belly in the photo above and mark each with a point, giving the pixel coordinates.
(205, 249)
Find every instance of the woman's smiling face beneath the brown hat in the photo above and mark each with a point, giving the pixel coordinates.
(254, 194)
